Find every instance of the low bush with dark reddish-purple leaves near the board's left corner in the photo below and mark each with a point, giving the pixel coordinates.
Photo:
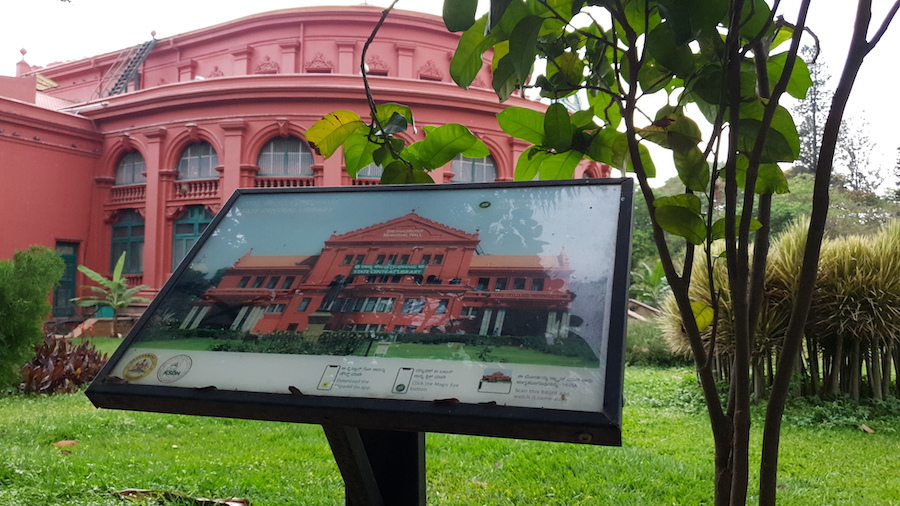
(60, 366)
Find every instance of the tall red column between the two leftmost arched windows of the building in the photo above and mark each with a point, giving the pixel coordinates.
(154, 210)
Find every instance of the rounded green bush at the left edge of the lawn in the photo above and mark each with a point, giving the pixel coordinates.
(26, 280)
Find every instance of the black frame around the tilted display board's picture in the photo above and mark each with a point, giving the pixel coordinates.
(447, 415)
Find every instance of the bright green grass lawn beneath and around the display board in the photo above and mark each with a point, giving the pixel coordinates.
(666, 457)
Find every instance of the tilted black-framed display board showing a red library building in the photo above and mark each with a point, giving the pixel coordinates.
(495, 309)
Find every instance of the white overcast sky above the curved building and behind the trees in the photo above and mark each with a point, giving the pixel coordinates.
(52, 31)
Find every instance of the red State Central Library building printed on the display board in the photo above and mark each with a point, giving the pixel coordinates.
(409, 274)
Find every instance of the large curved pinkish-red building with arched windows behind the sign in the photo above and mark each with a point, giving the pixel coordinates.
(136, 150)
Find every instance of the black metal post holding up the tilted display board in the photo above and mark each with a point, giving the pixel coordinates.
(379, 467)
